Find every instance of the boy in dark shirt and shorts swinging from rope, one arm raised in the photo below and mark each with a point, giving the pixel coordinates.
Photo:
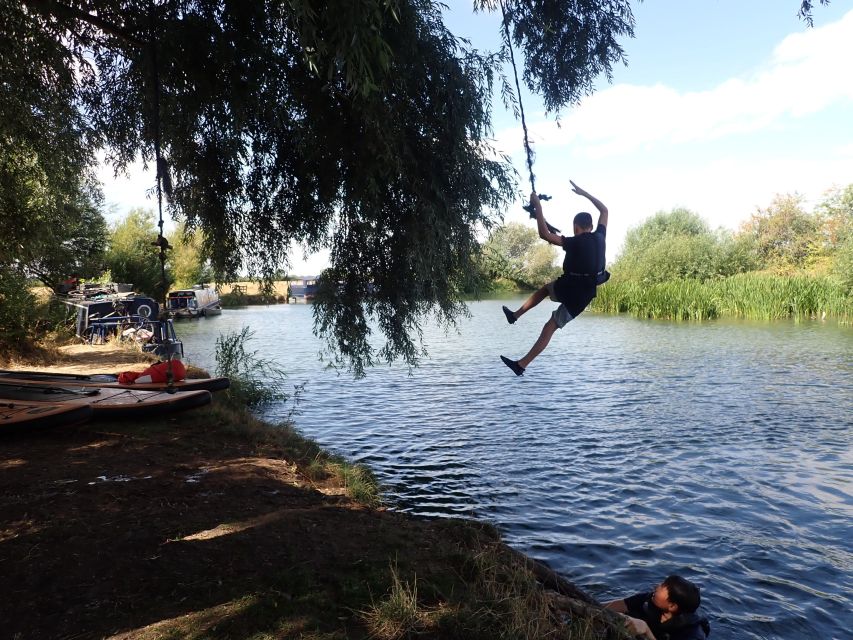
(583, 271)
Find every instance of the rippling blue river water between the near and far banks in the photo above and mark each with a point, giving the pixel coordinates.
(630, 449)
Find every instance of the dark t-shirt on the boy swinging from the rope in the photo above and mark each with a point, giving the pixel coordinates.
(584, 259)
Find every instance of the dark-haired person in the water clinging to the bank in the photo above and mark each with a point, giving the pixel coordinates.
(667, 613)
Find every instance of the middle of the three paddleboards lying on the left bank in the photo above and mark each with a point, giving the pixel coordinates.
(105, 402)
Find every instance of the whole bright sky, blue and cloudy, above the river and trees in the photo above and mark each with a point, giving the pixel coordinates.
(723, 105)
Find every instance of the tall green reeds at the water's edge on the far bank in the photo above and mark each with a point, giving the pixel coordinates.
(756, 296)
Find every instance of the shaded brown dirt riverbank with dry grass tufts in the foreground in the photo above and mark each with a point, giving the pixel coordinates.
(211, 524)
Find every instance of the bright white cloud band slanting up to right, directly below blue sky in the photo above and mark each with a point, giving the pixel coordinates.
(805, 74)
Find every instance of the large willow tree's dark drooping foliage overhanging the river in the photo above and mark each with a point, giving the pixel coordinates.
(357, 125)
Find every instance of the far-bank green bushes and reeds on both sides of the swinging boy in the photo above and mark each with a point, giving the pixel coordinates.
(783, 261)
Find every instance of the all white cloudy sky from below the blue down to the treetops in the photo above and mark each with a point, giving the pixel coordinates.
(643, 149)
